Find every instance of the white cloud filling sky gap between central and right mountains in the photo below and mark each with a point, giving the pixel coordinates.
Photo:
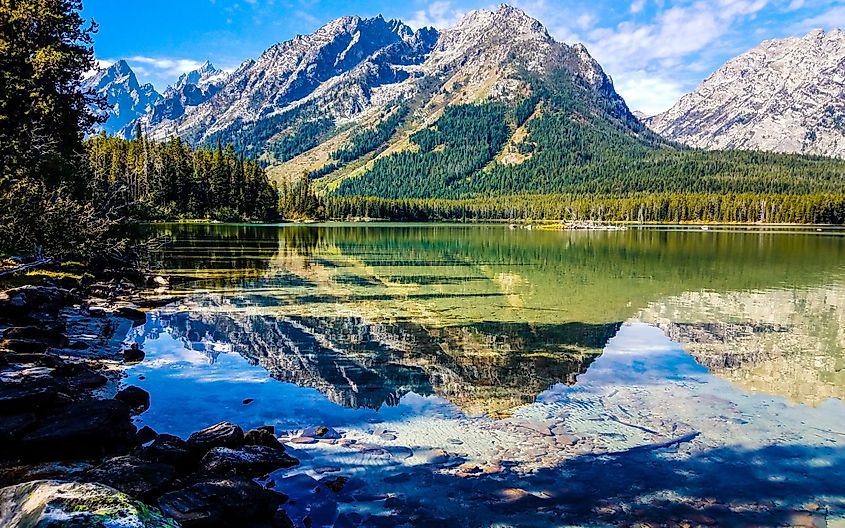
(654, 50)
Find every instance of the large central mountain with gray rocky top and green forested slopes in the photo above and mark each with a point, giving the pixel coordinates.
(492, 106)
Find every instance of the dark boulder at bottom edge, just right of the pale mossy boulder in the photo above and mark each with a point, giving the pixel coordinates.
(234, 503)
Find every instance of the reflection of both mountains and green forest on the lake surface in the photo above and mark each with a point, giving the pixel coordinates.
(488, 318)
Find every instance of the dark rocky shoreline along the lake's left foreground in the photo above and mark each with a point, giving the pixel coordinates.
(70, 453)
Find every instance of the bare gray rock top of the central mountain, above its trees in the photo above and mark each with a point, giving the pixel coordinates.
(354, 67)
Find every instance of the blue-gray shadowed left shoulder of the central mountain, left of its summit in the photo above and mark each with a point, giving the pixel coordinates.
(339, 66)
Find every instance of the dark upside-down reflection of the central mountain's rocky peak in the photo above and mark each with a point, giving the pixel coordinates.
(485, 369)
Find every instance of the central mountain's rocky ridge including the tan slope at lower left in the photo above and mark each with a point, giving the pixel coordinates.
(307, 97)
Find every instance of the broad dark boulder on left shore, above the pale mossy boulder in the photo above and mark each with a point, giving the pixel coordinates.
(85, 429)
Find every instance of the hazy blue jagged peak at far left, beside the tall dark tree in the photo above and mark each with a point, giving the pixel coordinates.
(126, 98)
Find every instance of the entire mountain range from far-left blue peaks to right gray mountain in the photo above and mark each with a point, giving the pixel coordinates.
(491, 105)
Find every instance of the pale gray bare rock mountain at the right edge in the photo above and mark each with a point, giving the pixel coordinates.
(785, 95)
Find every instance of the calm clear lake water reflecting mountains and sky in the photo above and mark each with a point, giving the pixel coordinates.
(483, 376)
